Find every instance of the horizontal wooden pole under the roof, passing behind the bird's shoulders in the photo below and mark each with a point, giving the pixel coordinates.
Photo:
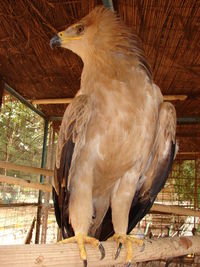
(69, 100)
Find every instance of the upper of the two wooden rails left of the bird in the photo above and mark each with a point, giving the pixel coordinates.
(12, 166)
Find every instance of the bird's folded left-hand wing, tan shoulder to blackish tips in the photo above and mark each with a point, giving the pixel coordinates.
(70, 141)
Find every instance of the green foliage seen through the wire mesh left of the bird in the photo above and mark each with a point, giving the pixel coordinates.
(21, 139)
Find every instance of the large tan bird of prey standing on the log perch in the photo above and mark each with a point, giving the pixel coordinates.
(117, 138)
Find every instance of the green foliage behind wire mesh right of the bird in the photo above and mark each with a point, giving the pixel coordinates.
(184, 176)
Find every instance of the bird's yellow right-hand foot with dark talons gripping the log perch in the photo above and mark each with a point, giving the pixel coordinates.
(127, 240)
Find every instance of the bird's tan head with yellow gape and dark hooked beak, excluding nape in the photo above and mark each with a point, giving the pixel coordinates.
(92, 34)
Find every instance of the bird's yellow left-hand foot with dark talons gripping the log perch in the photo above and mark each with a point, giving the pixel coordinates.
(82, 239)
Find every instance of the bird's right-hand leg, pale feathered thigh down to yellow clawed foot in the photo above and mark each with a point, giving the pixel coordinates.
(121, 201)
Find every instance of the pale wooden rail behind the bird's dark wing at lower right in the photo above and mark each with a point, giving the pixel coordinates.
(171, 209)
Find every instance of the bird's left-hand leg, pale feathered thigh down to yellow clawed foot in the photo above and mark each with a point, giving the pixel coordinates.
(80, 216)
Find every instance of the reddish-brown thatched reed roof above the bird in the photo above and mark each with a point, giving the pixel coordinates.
(169, 30)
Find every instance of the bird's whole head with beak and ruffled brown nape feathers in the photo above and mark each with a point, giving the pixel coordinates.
(102, 37)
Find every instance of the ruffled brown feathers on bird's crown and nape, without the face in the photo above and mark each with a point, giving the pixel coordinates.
(114, 44)
